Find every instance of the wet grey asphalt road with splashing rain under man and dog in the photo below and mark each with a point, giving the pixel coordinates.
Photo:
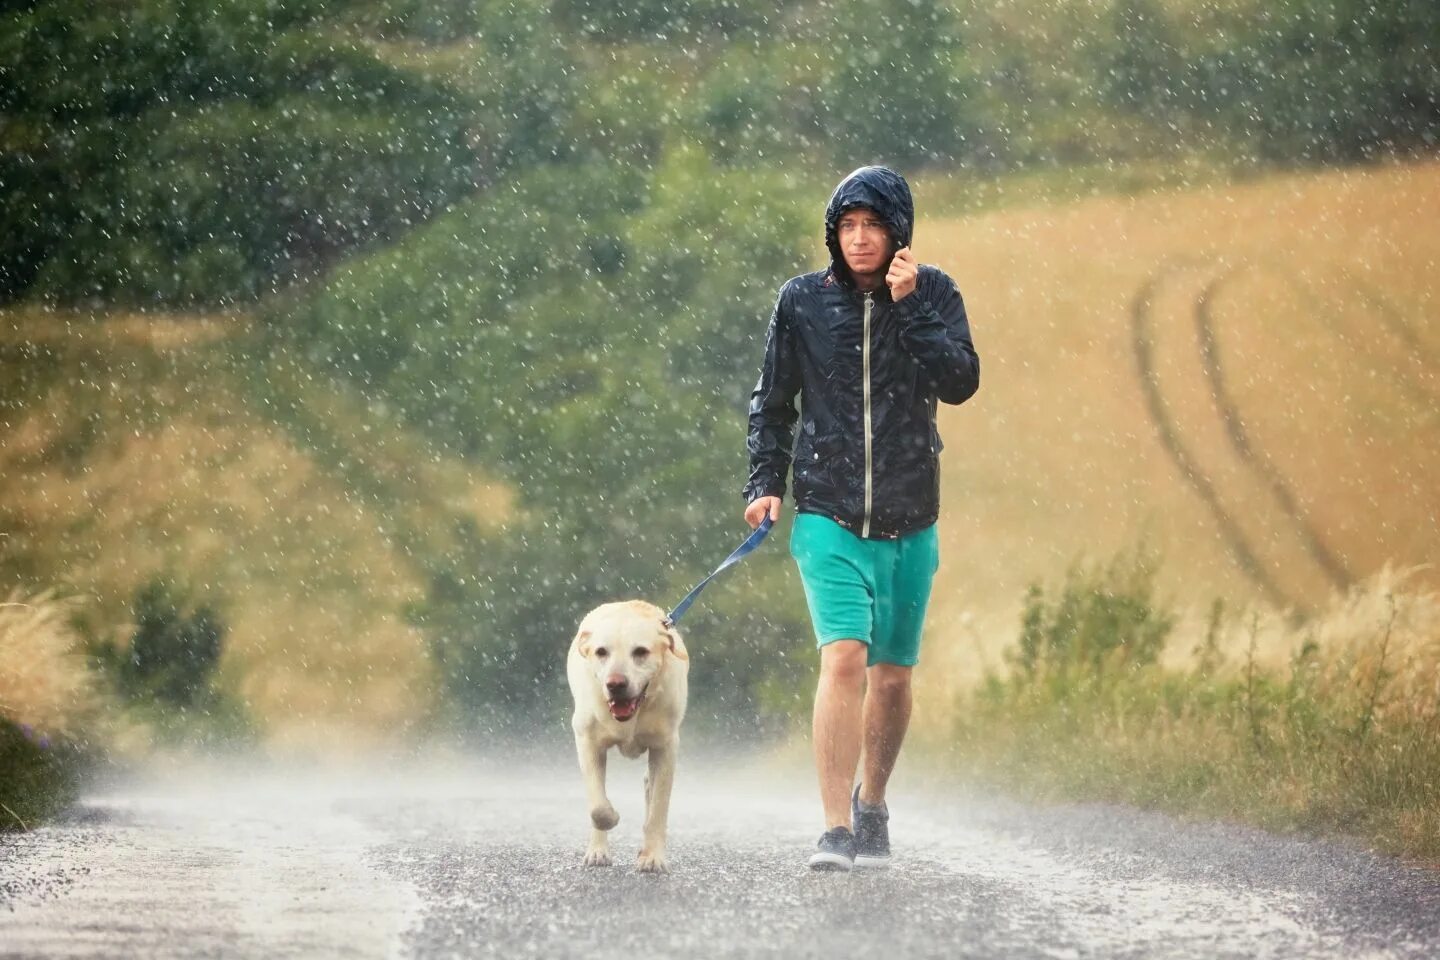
(485, 860)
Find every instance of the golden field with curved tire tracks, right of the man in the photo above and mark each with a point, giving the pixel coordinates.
(1245, 378)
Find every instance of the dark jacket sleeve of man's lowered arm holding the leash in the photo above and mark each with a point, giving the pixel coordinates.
(773, 408)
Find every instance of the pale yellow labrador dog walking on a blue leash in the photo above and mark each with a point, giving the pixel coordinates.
(630, 679)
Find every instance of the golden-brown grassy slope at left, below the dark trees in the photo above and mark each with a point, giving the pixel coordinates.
(130, 450)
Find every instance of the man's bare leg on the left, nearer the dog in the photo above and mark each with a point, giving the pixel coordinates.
(839, 726)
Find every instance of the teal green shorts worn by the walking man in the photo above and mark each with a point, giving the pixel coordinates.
(869, 591)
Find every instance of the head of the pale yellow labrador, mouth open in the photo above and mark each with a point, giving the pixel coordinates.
(626, 647)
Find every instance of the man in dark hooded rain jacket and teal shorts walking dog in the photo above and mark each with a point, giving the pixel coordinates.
(869, 346)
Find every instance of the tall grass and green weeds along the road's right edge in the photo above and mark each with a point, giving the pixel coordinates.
(1327, 725)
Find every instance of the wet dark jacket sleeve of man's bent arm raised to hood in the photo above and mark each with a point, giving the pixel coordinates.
(937, 333)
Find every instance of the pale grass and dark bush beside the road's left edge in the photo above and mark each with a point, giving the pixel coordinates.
(78, 697)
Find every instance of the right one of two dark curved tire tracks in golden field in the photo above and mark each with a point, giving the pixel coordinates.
(1246, 450)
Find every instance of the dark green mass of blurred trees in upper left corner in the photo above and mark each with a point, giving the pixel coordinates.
(168, 150)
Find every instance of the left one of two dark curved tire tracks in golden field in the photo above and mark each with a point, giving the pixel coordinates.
(1187, 463)
